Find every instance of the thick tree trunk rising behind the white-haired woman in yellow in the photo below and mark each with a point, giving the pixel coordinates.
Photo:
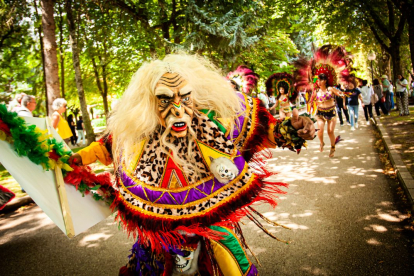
(49, 43)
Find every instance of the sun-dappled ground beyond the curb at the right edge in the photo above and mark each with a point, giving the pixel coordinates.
(401, 130)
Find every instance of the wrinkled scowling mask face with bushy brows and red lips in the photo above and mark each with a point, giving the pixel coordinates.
(175, 105)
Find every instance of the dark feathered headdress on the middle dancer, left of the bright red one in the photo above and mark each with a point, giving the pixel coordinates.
(285, 80)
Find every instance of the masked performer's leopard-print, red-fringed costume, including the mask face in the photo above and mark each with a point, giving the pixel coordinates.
(178, 211)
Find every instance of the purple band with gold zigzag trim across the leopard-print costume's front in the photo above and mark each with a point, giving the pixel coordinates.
(172, 198)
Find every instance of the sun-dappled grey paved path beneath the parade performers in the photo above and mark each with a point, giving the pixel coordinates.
(342, 211)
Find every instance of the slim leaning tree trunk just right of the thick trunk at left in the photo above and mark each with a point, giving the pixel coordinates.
(78, 76)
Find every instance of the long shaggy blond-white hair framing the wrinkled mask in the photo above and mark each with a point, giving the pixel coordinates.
(136, 116)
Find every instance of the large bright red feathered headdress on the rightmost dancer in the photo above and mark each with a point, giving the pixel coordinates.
(333, 61)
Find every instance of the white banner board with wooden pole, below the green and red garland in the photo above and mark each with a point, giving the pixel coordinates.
(64, 205)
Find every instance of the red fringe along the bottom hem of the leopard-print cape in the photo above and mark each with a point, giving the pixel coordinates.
(160, 233)
